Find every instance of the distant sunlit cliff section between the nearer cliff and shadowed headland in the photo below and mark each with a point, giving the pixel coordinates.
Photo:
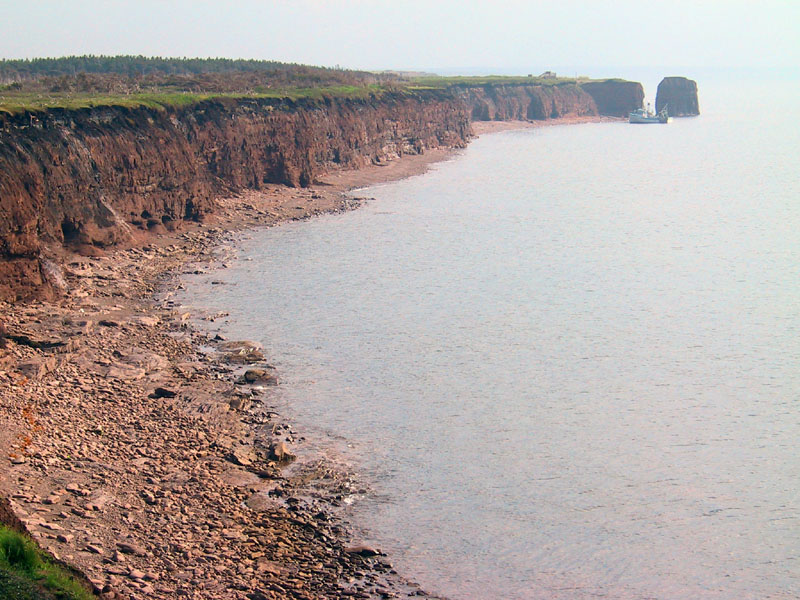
(527, 102)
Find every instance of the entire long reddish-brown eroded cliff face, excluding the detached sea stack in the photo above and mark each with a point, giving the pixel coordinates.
(92, 176)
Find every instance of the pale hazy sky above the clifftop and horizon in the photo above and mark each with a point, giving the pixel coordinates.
(445, 35)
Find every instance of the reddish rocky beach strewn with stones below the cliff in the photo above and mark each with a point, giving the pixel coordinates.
(181, 493)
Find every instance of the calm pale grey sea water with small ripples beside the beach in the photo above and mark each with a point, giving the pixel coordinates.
(567, 361)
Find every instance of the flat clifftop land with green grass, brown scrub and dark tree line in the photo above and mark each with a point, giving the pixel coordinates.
(136, 81)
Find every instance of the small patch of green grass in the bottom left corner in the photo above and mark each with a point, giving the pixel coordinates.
(26, 573)
